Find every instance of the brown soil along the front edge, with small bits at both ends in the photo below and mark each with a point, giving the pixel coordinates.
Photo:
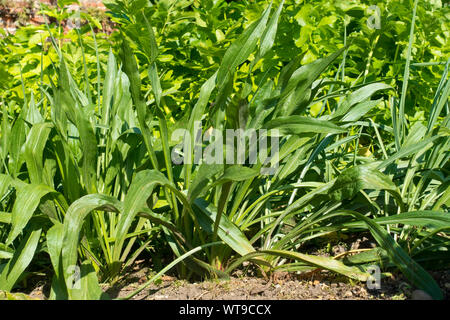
(281, 286)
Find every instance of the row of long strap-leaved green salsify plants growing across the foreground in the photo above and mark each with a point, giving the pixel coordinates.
(91, 182)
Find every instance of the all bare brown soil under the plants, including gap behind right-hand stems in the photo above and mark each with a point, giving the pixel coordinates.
(246, 285)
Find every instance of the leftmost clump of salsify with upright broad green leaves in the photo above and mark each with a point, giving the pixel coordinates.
(72, 153)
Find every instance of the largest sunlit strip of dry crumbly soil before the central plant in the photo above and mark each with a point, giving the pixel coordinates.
(253, 289)
